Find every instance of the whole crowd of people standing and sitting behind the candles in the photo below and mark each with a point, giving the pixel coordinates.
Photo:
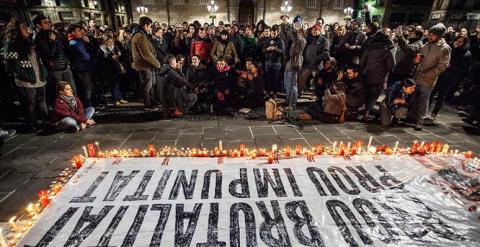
(358, 72)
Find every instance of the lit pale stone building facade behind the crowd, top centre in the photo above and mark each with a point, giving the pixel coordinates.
(242, 11)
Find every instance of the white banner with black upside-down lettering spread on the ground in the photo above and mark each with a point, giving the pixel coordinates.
(332, 201)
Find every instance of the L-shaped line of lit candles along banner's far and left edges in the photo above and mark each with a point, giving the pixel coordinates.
(18, 226)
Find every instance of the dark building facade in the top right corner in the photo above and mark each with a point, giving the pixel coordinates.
(459, 13)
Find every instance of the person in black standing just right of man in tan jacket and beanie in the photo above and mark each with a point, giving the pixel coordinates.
(456, 72)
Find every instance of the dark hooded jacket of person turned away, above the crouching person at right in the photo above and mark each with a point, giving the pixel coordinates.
(377, 60)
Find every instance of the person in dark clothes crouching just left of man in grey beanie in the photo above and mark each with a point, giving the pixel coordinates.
(394, 106)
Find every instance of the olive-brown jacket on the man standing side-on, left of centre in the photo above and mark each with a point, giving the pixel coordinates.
(143, 52)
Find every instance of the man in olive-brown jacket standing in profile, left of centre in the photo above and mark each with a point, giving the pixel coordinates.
(145, 59)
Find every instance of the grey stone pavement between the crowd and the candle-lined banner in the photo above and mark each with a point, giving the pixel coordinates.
(30, 162)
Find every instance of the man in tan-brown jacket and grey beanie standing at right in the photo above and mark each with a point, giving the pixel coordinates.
(434, 58)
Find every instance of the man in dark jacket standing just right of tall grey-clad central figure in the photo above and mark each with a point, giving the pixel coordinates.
(316, 50)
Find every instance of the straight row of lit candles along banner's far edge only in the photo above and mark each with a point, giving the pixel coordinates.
(337, 148)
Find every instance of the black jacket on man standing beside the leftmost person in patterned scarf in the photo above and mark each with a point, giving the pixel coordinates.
(52, 52)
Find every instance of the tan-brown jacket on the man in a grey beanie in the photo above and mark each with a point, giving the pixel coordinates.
(436, 59)
